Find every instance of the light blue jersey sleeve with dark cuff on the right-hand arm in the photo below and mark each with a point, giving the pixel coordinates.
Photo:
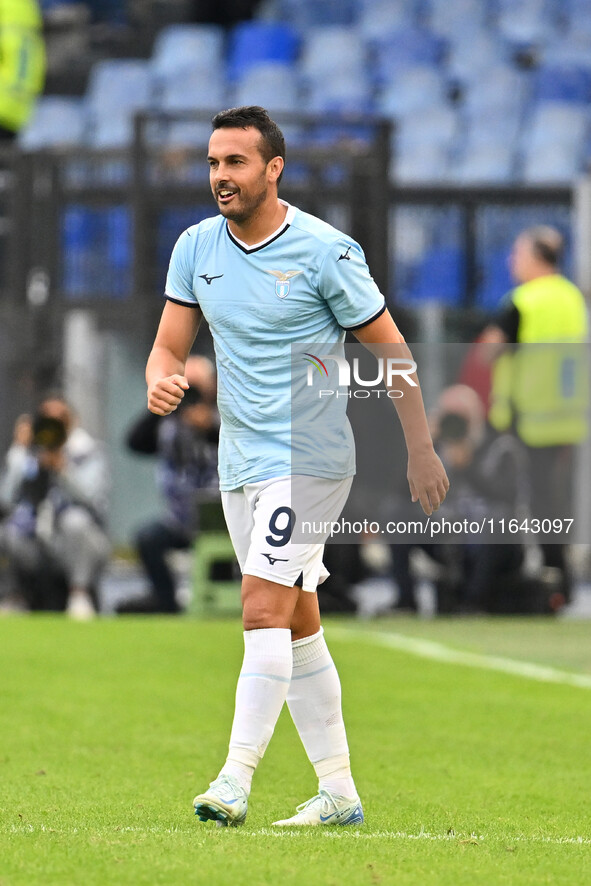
(348, 287)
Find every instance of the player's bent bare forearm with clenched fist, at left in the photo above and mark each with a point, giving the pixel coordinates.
(166, 364)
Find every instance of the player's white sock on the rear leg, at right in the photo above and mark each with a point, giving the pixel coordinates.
(314, 700)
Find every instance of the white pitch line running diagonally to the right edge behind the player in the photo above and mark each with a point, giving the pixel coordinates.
(439, 652)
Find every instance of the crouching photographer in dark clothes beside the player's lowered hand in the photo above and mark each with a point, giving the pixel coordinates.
(487, 477)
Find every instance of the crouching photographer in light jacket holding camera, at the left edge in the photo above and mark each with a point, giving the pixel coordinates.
(54, 535)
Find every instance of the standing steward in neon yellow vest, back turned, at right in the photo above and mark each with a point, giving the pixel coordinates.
(541, 389)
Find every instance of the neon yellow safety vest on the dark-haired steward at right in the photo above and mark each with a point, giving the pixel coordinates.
(542, 386)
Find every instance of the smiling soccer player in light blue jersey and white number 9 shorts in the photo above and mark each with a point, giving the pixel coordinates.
(265, 275)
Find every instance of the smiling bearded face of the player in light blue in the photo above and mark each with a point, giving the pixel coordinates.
(241, 180)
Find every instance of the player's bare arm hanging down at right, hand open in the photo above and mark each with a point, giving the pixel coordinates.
(426, 475)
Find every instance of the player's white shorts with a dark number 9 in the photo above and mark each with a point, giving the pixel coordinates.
(261, 522)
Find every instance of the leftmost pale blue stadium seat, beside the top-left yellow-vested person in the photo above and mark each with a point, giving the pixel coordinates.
(58, 121)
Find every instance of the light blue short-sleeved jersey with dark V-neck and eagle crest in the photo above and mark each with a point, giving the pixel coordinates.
(307, 282)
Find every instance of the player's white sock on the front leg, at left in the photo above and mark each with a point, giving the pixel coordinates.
(262, 687)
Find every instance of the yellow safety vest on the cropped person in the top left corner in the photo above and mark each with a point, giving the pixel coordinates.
(22, 61)
